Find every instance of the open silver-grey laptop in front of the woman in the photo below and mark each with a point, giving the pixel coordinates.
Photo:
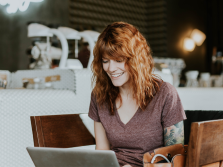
(63, 157)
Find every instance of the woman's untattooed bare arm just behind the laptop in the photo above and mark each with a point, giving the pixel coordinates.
(102, 142)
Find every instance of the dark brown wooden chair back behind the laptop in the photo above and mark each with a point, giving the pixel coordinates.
(60, 131)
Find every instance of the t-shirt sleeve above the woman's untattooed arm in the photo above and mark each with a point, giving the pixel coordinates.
(93, 109)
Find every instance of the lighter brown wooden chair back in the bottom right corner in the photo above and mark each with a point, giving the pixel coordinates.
(205, 146)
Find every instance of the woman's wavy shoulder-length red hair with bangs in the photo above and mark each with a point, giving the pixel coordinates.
(122, 41)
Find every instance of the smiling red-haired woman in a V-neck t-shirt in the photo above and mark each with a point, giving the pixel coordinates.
(134, 111)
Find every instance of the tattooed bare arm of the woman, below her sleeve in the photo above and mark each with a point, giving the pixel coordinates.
(174, 134)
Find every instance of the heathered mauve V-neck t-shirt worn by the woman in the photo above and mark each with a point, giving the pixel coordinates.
(144, 132)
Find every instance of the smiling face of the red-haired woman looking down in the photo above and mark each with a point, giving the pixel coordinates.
(117, 71)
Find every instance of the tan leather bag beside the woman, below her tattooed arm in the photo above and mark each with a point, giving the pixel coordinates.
(176, 154)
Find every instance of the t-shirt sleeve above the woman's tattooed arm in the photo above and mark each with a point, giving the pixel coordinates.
(173, 111)
